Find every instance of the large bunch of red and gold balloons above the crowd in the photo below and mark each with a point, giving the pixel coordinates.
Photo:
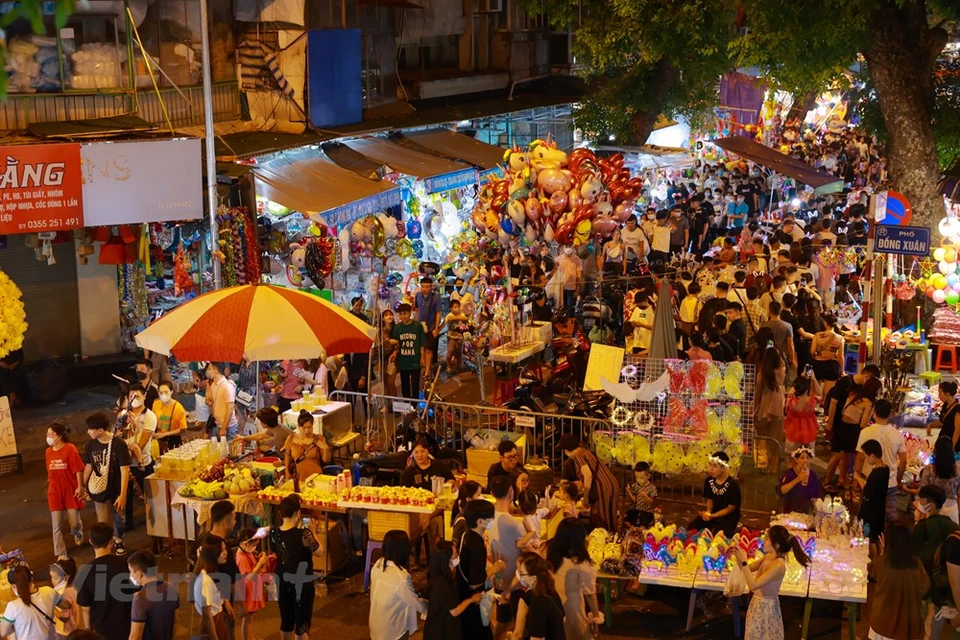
(547, 194)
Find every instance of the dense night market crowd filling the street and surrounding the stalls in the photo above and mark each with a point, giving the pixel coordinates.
(743, 285)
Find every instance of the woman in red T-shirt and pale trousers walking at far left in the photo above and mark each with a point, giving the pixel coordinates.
(65, 491)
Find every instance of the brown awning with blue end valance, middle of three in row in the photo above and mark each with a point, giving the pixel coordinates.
(438, 174)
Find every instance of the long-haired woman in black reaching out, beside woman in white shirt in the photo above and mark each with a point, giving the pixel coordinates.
(443, 607)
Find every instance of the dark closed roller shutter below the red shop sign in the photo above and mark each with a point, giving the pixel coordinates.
(49, 296)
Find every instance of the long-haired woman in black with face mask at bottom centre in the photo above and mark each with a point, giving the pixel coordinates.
(540, 614)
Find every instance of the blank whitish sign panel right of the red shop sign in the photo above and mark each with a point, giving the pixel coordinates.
(145, 181)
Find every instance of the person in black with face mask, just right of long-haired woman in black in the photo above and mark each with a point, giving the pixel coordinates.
(474, 570)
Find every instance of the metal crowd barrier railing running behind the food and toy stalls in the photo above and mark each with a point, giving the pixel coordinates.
(383, 417)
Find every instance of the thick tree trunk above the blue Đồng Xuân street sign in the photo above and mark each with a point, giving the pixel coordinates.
(900, 58)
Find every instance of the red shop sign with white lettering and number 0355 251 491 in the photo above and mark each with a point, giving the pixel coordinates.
(40, 188)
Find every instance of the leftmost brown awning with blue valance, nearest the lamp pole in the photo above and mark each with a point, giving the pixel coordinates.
(306, 181)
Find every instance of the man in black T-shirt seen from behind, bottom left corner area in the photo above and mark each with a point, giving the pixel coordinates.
(104, 590)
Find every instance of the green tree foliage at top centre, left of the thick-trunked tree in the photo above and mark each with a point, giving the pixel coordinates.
(643, 58)
